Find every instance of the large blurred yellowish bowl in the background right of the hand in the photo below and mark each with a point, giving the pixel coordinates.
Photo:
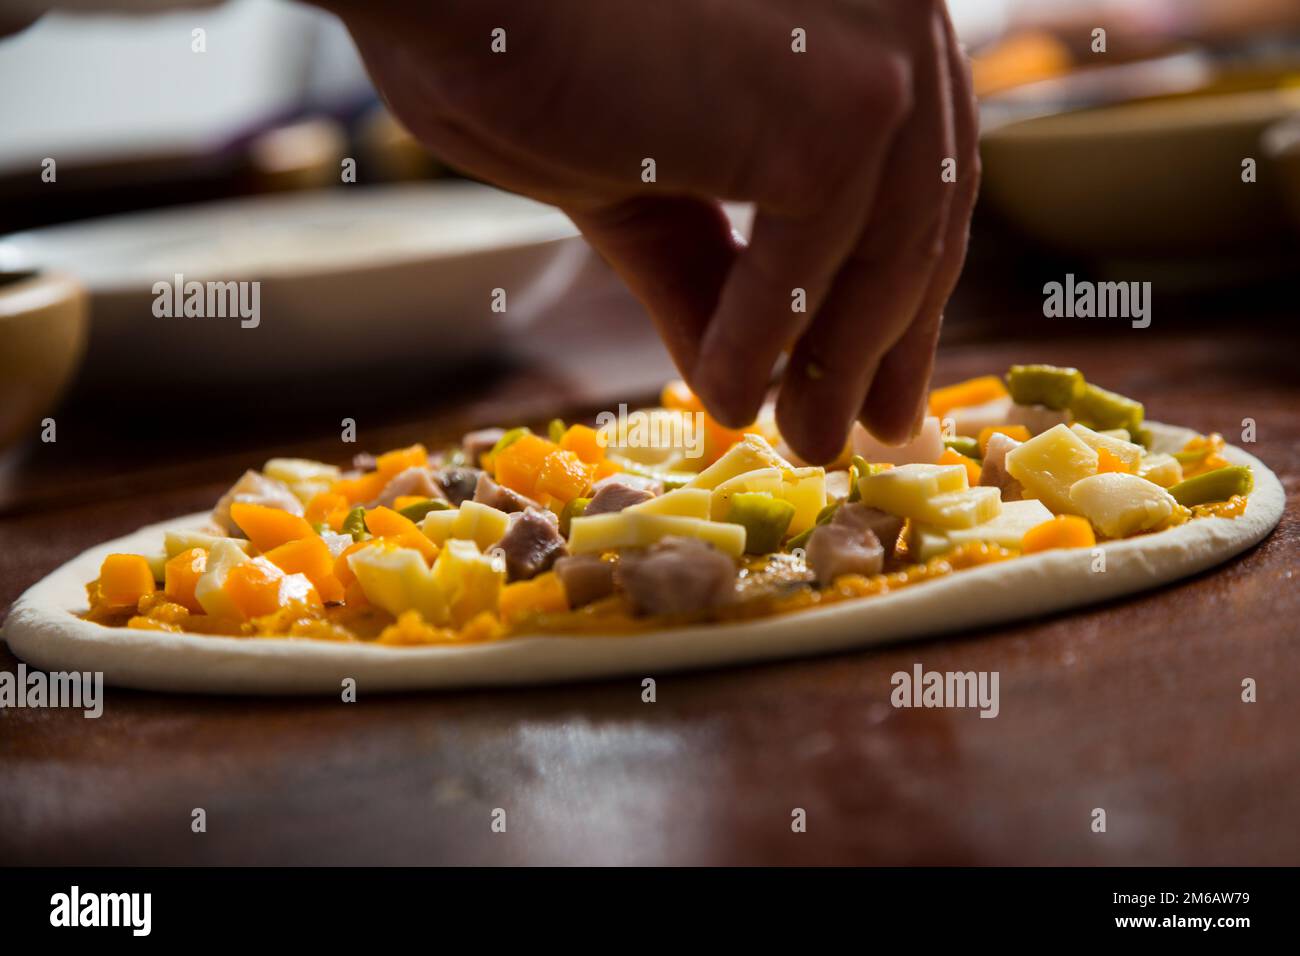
(1160, 176)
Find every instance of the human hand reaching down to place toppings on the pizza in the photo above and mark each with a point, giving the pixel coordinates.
(840, 149)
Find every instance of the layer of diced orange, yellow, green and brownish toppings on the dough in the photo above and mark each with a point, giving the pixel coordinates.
(587, 531)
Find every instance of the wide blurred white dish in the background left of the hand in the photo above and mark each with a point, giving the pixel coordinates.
(349, 276)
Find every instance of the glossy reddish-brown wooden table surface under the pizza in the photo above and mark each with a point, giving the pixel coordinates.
(1133, 707)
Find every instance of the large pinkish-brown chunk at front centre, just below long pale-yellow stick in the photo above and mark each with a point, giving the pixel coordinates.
(679, 576)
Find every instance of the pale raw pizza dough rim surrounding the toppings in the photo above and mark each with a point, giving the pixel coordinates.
(45, 631)
